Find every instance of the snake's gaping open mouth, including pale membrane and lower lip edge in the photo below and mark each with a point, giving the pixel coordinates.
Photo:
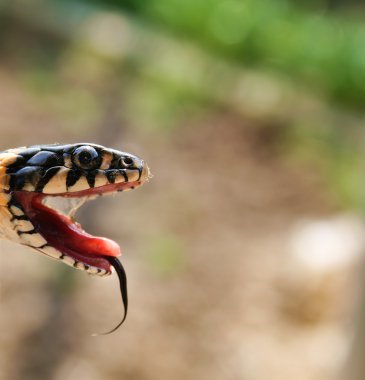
(66, 240)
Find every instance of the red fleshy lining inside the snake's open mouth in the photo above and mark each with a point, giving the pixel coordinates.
(66, 235)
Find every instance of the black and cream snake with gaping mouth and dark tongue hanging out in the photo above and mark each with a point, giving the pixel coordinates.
(42, 187)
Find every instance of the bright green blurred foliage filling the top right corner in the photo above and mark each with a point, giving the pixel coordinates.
(320, 48)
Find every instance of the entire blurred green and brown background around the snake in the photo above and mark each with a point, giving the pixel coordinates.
(245, 252)
